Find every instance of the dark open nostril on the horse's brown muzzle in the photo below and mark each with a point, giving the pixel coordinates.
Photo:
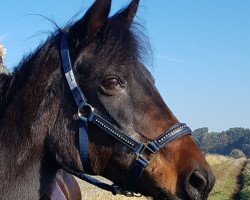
(195, 185)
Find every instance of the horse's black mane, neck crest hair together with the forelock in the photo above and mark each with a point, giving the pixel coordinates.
(121, 45)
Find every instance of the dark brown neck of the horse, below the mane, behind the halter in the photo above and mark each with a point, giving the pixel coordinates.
(24, 171)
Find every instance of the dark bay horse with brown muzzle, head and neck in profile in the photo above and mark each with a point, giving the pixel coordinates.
(39, 126)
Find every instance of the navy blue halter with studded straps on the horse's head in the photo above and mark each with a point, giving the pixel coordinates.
(88, 115)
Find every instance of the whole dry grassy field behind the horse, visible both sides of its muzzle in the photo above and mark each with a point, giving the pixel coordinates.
(225, 169)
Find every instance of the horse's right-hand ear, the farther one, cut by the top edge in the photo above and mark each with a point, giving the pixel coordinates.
(127, 15)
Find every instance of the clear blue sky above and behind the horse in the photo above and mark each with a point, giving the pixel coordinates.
(201, 51)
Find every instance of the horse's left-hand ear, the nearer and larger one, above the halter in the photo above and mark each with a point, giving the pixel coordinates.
(94, 19)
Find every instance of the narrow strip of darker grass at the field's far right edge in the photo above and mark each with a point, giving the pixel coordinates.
(245, 192)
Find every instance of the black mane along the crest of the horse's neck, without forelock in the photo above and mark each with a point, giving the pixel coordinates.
(26, 70)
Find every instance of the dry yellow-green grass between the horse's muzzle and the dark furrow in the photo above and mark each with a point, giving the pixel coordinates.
(226, 171)
